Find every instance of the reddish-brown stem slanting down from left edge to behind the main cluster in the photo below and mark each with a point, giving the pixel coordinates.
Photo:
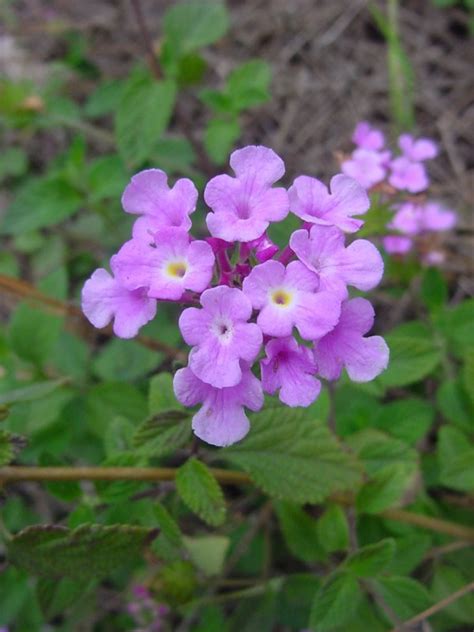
(23, 290)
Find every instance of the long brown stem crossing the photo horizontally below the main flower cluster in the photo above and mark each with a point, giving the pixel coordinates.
(18, 473)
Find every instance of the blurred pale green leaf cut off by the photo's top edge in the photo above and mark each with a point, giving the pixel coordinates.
(189, 26)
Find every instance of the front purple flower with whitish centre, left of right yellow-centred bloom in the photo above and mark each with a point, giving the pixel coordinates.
(222, 336)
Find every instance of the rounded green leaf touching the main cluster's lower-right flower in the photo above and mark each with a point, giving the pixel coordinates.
(413, 354)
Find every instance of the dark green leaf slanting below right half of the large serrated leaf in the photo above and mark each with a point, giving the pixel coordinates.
(300, 532)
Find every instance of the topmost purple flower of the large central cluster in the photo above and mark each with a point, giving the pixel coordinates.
(245, 205)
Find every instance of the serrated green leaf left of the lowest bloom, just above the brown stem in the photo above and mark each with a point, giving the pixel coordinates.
(163, 433)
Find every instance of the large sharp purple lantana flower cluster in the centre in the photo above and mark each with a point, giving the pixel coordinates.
(258, 319)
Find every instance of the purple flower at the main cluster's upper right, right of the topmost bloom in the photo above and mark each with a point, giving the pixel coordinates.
(311, 200)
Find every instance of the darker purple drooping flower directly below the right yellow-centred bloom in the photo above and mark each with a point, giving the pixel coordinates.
(291, 368)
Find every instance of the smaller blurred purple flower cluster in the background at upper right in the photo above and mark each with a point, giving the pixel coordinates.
(403, 180)
